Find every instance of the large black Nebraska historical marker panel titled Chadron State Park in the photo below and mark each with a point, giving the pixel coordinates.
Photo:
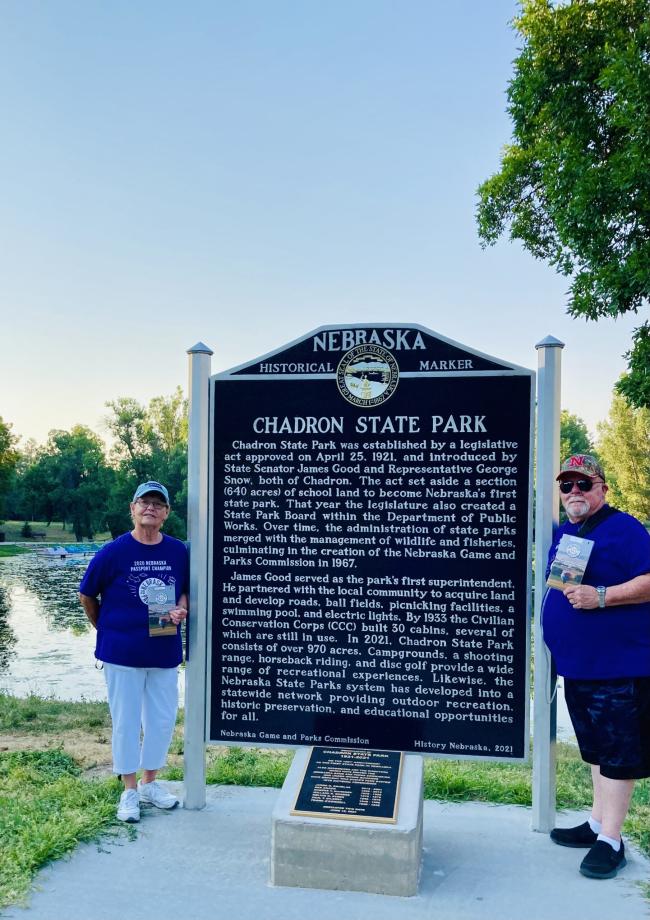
(371, 546)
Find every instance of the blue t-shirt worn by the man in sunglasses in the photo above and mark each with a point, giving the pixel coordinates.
(611, 642)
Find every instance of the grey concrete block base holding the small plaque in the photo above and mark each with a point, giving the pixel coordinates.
(349, 855)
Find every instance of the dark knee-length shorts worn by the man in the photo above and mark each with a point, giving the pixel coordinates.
(611, 719)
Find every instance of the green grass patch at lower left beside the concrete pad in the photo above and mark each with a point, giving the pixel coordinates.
(46, 809)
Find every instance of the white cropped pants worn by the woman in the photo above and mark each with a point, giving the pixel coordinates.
(141, 699)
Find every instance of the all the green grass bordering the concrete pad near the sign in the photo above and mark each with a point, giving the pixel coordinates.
(47, 806)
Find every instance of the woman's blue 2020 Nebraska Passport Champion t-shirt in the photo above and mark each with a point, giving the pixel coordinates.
(120, 575)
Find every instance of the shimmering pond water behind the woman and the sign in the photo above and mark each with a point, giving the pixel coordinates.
(47, 644)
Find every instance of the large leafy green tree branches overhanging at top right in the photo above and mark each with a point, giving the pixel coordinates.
(574, 186)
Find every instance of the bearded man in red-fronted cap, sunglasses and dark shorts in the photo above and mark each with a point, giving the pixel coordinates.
(599, 634)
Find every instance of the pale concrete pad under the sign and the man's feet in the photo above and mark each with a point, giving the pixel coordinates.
(480, 861)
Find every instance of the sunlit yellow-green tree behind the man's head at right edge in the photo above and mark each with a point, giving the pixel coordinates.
(624, 447)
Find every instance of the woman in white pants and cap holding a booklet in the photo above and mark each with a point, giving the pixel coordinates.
(127, 576)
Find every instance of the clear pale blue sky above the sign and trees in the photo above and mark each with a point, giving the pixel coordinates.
(240, 172)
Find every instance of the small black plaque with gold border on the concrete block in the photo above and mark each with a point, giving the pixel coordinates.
(350, 784)
